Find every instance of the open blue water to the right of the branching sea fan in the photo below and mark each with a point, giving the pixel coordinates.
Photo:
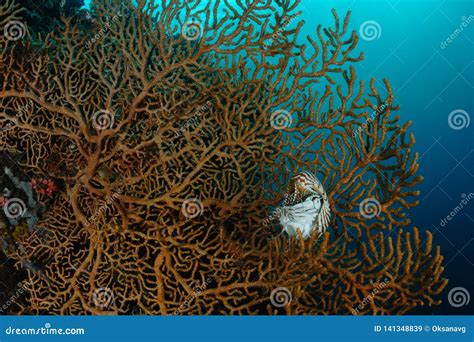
(425, 48)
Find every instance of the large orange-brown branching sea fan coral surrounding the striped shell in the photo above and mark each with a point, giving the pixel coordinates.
(148, 216)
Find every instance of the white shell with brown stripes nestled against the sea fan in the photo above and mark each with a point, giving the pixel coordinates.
(306, 207)
